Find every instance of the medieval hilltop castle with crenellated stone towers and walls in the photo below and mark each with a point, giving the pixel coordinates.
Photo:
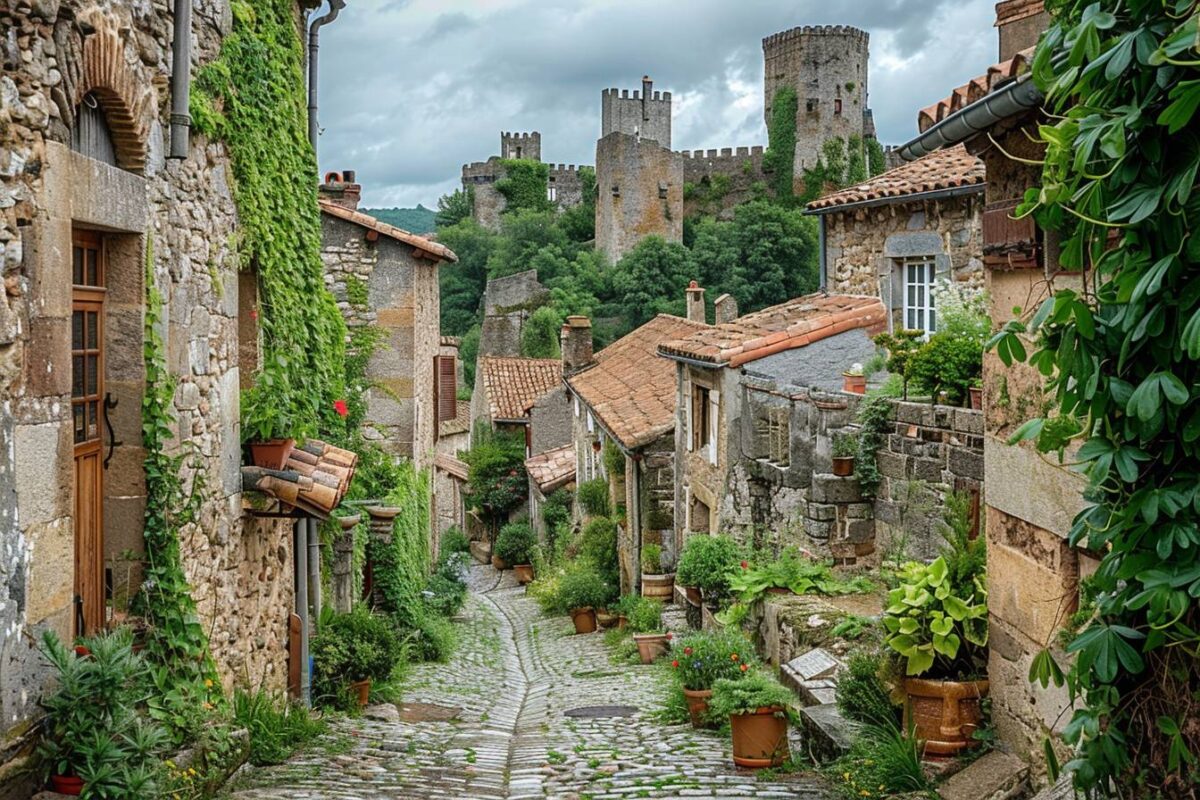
(641, 182)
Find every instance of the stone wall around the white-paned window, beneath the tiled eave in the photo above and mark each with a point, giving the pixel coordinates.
(863, 245)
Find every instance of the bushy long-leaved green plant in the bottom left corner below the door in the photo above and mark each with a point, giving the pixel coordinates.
(95, 741)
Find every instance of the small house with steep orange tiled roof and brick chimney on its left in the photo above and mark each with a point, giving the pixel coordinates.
(626, 398)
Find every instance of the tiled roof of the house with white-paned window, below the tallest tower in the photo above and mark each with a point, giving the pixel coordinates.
(950, 169)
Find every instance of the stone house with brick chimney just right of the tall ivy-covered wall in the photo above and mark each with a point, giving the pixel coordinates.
(387, 279)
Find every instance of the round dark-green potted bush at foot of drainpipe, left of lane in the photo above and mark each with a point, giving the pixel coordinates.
(350, 653)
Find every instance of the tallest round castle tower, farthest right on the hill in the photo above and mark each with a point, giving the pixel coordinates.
(827, 68)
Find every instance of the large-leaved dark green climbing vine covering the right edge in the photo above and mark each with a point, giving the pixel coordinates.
(1121, 357)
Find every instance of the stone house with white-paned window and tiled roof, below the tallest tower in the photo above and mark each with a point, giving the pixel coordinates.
(903, 232)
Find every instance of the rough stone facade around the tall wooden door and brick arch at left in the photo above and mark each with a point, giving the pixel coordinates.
(56, 53)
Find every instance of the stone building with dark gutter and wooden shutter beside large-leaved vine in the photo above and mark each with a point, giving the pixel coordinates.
(1033, 570)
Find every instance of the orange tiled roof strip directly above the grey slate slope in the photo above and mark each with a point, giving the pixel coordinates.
(787, 327)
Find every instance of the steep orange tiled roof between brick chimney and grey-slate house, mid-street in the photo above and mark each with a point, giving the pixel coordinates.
(629, 390)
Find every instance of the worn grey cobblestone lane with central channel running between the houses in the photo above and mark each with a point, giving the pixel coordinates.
(514, 676)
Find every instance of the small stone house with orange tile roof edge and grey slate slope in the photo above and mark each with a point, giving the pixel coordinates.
(731, 413)
